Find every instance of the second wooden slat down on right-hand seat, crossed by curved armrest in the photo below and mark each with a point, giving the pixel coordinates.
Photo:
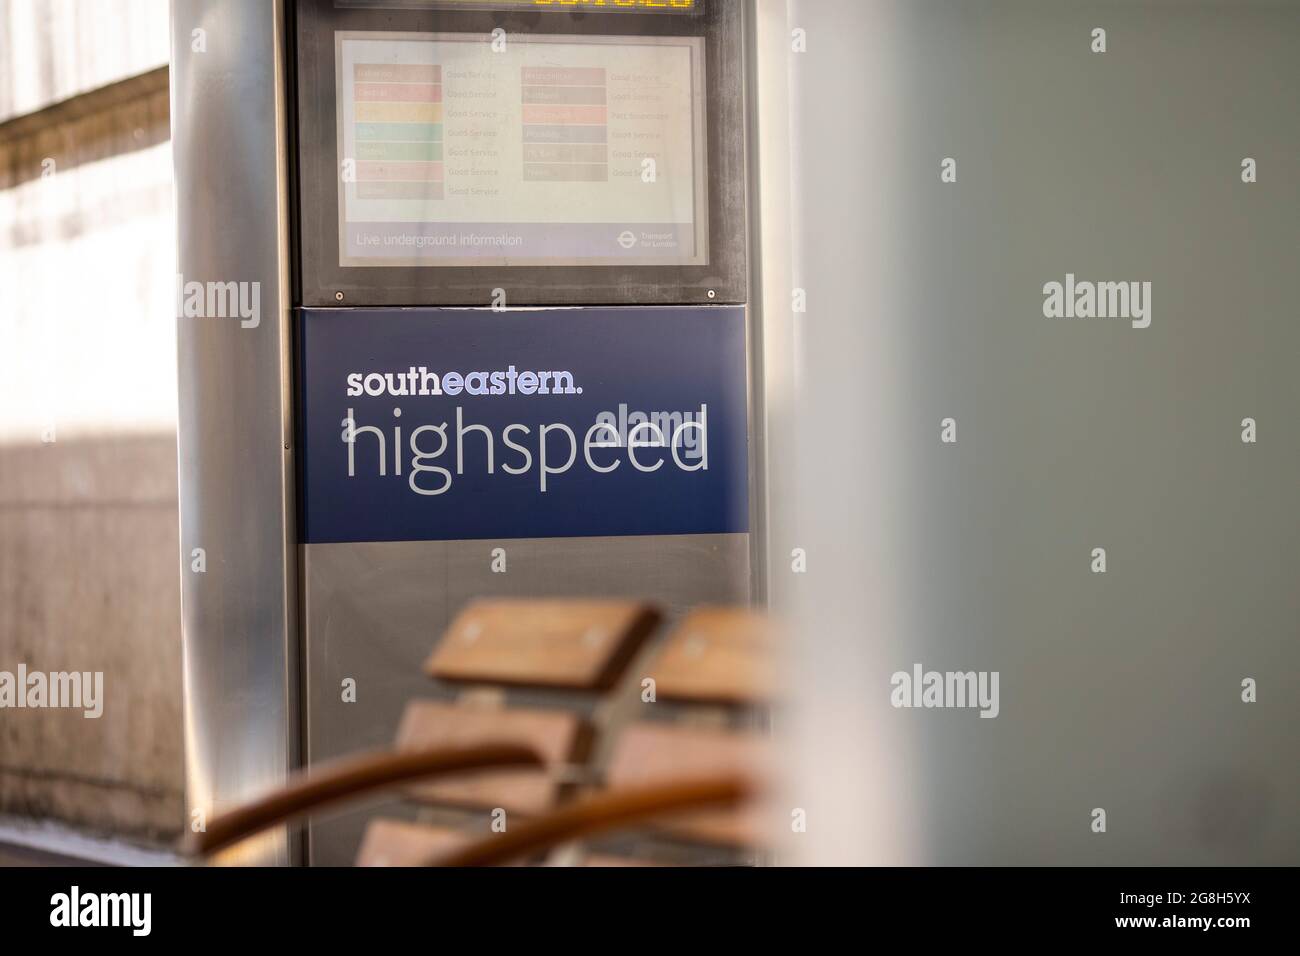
(651, 754)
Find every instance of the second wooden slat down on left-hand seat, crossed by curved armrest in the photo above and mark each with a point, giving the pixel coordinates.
(558, 737)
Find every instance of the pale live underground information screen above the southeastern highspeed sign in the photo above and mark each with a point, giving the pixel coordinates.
(544, 150)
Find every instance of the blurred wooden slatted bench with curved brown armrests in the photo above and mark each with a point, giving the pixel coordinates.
(664, 768)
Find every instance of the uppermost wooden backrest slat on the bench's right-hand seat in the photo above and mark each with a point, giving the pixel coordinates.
(718, 655)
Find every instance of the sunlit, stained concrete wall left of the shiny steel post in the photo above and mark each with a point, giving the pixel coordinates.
(88, 412)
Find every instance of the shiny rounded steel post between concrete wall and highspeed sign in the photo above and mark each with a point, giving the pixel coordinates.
(236, 410)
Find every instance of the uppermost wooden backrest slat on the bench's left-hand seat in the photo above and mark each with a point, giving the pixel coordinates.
(547, 643)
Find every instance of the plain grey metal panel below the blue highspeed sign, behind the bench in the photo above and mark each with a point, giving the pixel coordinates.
(375, 611)
